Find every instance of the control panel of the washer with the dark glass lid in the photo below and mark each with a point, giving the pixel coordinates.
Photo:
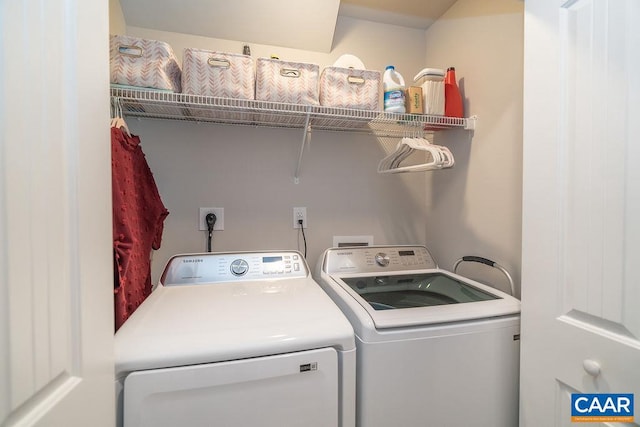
(374, 259)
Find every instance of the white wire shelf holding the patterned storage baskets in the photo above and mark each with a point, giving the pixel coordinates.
(177, 106)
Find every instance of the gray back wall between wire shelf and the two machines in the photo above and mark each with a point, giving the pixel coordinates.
(249, 172)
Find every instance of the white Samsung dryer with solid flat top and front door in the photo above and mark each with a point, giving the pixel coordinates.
(236, 339)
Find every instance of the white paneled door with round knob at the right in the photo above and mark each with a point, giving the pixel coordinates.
(581, 216)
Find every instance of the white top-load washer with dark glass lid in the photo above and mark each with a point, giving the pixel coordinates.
(434, 349)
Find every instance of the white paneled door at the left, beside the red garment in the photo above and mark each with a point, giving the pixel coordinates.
(56, 286)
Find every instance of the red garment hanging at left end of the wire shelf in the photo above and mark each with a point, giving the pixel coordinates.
(138, 219)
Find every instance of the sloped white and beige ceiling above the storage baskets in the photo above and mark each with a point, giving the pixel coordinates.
(301, 24)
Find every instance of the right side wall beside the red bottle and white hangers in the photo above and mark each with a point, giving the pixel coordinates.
(475, 208)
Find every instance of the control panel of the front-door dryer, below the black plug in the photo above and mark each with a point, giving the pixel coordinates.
(193, 269)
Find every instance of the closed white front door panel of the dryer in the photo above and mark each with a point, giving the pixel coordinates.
(295, 389)
